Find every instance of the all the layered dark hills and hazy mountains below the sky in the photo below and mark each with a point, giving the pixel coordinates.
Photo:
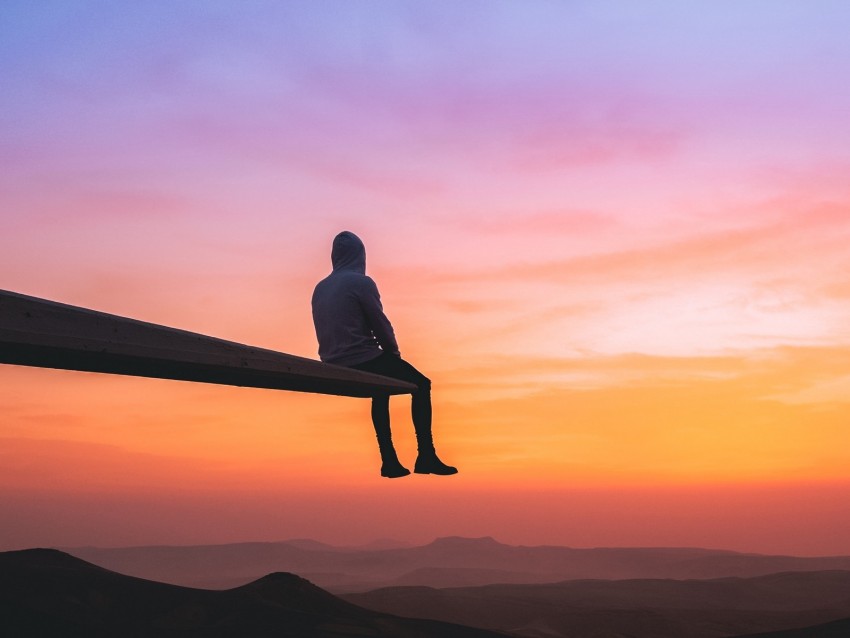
(47, 593)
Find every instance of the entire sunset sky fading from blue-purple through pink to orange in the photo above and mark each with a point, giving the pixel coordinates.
(615, 235)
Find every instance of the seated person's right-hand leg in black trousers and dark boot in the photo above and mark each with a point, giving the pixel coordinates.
(395, 367)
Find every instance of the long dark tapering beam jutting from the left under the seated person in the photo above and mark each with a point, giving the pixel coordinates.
(47, 334)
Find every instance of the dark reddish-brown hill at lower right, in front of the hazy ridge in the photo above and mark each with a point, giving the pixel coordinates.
(635, 608)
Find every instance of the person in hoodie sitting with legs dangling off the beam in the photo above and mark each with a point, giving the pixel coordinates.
(353, 331)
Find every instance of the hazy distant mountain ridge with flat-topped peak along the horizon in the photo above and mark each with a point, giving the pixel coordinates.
(445, 562)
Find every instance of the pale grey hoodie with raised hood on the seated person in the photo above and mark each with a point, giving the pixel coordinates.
(350, 322)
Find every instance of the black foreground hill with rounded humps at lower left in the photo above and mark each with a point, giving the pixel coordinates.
(47, 594)
